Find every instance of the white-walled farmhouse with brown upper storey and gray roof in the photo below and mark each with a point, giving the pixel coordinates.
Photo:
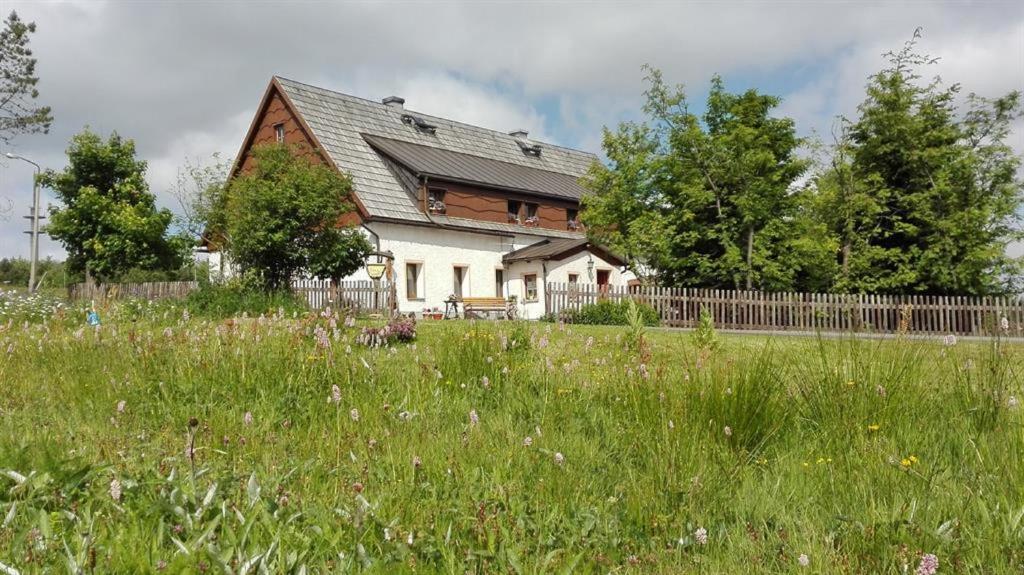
(466, 211)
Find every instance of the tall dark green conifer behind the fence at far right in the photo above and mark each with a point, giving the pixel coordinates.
(940, 187)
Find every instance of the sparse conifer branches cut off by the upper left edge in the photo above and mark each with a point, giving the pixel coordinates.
(19, 114)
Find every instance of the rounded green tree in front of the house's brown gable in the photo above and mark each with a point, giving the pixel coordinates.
(284, 216)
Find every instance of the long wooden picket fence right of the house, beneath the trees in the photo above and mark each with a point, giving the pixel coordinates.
(680, 307)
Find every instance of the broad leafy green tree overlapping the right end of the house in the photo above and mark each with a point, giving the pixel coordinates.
(707, 201)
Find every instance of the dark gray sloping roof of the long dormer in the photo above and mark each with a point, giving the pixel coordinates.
(455, 166)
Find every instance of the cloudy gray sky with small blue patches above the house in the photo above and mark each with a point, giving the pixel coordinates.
(184, 79)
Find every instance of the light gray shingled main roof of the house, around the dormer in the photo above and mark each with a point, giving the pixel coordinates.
(338, 121)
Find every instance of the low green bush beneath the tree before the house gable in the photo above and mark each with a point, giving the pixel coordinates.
(238, 297)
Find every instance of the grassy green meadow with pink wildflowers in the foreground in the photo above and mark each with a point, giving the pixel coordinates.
(167, 444)
